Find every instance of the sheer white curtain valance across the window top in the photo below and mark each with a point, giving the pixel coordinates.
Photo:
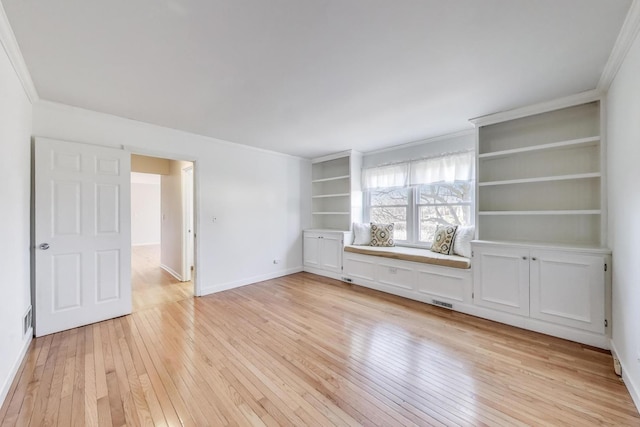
(446, 168)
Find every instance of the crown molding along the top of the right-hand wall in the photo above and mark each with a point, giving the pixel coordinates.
(626, 37)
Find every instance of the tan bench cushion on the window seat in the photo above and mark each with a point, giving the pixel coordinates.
(412, 254)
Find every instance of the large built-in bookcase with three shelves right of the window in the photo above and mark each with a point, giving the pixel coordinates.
(540, 176)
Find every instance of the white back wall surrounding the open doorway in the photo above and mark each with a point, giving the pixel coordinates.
(259, 198)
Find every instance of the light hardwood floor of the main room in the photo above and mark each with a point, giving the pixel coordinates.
(306, 350)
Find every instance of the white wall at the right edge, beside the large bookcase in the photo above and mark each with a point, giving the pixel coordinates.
(623, 165)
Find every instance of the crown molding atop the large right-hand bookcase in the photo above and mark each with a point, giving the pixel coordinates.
(543, 107)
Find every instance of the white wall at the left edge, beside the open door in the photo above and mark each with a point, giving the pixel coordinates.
(15, 191)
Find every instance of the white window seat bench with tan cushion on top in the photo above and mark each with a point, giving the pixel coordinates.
(418, 274)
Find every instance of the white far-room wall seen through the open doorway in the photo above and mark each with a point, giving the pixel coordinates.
(145, 209)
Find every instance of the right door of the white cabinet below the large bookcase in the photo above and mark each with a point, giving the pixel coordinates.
(568, 289)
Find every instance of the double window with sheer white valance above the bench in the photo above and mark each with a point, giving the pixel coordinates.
(437, 191)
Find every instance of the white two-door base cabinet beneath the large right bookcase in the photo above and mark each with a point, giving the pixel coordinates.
(561, 286)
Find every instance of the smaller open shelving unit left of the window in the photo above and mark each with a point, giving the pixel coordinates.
(336, 196)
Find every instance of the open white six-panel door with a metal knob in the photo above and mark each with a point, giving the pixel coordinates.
(82, 234)
